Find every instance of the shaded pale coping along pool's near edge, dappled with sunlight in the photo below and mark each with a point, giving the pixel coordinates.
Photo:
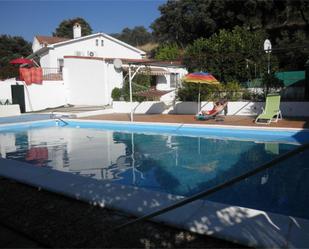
(193, 217)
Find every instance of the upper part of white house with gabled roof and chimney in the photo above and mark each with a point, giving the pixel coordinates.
(51, 50)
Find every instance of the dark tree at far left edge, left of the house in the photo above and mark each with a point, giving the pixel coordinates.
(12, 47)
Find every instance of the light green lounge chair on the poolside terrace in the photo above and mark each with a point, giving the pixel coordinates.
(272, 111)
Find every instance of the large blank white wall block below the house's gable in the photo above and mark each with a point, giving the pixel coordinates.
(90, 81)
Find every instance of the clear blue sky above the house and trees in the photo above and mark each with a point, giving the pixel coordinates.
(28, 18)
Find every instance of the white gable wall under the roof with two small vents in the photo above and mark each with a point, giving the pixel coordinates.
(110, 49)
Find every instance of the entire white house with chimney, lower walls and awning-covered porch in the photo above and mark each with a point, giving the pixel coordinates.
(81, 71)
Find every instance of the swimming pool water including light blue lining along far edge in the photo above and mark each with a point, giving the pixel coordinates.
(176, 160)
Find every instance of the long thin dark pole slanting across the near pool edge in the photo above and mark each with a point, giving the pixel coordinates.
(221, 186)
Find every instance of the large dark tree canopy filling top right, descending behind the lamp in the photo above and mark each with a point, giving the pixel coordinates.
(286, 23)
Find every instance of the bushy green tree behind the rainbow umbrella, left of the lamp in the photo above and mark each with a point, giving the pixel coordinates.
(228, 53)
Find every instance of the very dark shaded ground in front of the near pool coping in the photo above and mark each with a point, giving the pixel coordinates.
(42, 219)
